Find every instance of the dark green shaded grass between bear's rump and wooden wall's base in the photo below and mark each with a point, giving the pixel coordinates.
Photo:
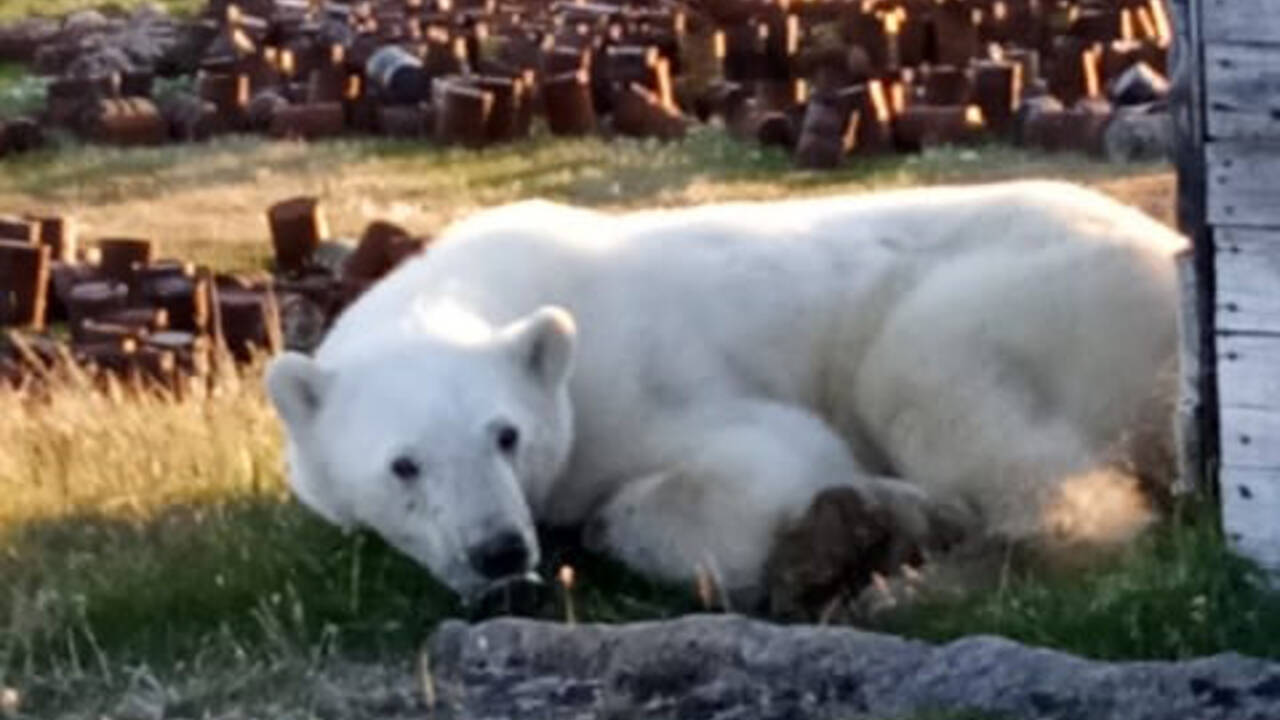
(1177, 594)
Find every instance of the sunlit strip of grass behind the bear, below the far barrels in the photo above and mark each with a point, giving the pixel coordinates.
(207, 203)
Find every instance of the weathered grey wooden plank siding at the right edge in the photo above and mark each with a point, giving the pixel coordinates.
(1241, 76)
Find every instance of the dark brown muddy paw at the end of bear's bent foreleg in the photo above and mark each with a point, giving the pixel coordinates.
(833, 552)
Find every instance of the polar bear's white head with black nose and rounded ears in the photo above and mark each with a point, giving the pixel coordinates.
(433, 443)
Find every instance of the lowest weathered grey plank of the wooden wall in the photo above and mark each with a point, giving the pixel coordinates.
(1251, 508)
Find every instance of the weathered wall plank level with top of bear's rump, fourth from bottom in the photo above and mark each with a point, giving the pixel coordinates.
(1247, 272)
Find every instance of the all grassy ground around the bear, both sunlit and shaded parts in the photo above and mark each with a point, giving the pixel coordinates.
(150, 550)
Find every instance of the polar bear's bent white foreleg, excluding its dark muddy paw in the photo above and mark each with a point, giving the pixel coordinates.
(725, 484)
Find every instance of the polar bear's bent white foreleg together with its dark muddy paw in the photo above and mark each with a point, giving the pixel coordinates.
(765, 498)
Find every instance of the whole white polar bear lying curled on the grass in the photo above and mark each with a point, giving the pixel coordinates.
(687, 382)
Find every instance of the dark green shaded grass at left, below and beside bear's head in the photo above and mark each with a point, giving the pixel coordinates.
(252, 575)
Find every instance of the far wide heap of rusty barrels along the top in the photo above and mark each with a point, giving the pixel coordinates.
(824, 79)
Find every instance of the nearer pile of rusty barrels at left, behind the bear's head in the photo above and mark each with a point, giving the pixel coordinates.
(115, 308)
